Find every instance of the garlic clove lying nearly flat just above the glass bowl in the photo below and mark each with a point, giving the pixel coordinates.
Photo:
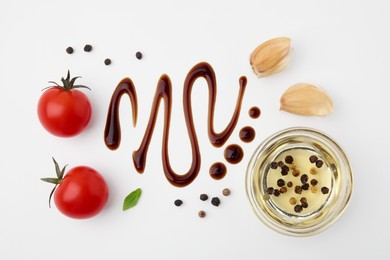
(306, 100)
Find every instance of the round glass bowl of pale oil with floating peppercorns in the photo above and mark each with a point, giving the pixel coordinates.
(299, 181)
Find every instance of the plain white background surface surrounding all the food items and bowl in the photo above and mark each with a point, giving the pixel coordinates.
(342, 46)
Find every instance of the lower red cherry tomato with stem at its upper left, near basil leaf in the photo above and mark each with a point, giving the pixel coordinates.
(81, 193)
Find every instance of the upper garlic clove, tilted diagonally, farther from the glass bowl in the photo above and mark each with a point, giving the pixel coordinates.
(271, 56)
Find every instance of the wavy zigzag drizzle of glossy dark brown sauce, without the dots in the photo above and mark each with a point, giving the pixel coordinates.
(164, 92)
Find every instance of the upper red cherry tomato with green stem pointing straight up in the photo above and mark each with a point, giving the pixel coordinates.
(64, 111)
